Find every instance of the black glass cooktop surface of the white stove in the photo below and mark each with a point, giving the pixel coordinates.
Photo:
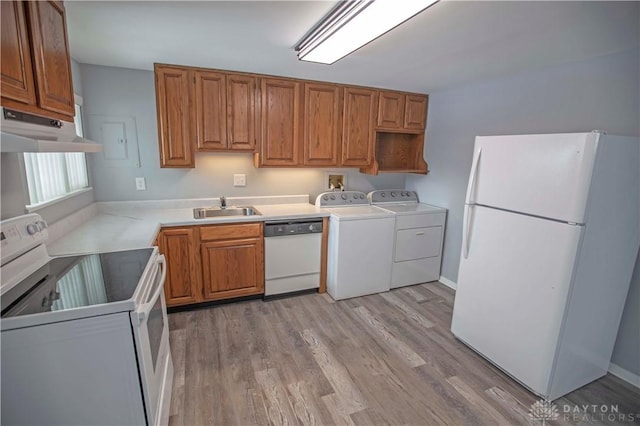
(77, 281)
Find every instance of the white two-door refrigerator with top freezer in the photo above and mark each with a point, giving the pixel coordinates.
(551, 234)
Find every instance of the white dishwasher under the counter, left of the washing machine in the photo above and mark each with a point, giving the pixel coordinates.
(292, 253)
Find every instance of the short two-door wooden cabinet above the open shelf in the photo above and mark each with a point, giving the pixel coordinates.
(402, 111)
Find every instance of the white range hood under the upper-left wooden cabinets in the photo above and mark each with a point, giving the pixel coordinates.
(22, 132)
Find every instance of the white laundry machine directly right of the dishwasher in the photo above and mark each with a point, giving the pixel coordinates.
(360, 247)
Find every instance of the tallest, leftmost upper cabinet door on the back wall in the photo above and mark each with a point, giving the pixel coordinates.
(174, 117)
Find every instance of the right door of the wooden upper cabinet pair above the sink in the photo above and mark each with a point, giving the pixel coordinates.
(241, 112)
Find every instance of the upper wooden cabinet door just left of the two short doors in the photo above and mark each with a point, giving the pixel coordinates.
(358, 134)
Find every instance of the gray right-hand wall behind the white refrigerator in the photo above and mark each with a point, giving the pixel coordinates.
(600, 93)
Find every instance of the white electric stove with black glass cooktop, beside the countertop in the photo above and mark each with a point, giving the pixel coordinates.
(85, 339)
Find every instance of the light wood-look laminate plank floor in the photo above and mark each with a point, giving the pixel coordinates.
(375, 360)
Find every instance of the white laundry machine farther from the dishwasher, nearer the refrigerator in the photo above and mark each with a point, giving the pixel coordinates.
(418, 236)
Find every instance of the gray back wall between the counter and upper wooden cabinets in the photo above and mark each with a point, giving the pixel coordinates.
(131, 93)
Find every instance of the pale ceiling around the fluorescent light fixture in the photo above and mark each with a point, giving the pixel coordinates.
(450, 44)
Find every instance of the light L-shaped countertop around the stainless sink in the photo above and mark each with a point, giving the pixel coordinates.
(128, 225)
